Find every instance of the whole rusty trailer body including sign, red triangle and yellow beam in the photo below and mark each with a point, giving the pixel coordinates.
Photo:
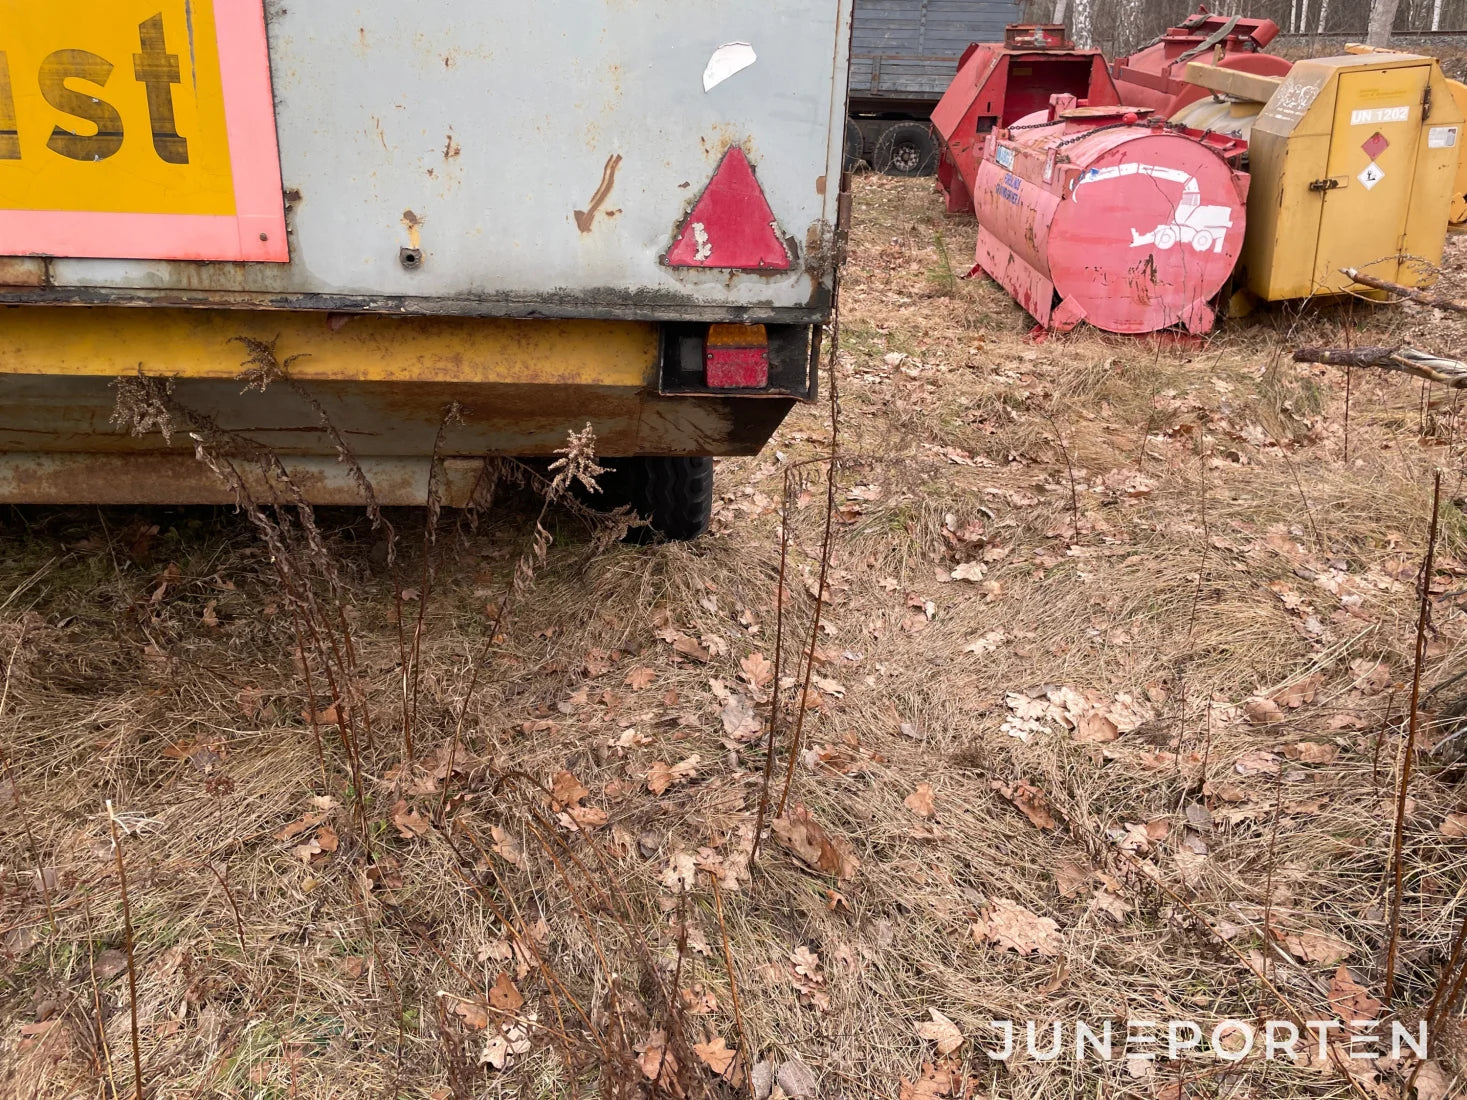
(369, 184)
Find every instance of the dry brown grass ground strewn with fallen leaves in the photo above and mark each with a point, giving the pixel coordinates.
(1226, 549)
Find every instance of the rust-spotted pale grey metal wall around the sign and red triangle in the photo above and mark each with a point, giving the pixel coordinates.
(497, 125)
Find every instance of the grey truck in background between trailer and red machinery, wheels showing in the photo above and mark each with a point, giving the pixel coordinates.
(904, 55)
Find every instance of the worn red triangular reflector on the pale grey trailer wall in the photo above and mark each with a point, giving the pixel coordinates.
(731, 224)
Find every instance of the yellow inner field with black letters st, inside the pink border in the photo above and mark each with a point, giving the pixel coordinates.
(112, 106)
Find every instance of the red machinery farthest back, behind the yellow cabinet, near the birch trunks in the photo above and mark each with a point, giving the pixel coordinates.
(1155, 76)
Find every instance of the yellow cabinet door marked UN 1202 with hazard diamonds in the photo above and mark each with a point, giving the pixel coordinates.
(1365, 219)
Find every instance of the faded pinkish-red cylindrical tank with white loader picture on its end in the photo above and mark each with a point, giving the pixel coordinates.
(1098, 218)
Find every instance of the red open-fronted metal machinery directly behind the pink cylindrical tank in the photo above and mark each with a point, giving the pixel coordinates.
(1001, 83)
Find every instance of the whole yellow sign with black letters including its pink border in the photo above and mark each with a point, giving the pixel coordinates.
(139, 130)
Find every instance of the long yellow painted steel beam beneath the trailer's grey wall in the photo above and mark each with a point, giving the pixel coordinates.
(202, 344)
